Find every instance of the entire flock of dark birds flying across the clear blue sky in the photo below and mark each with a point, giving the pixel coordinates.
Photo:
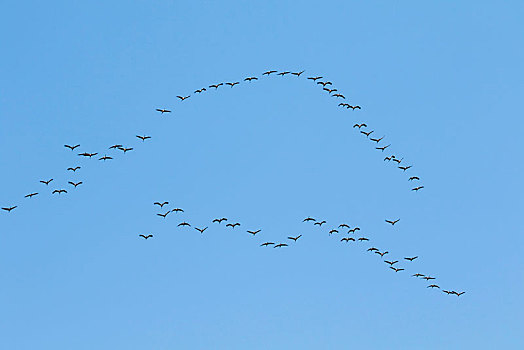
(327, 86)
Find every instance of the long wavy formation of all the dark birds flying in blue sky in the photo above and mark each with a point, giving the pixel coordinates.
(348, 232)
